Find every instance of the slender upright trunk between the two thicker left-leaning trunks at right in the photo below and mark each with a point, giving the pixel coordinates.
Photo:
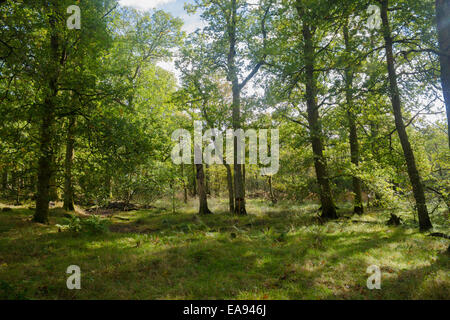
(353, 136)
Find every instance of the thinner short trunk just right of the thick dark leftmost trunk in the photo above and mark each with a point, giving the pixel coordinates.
(68, 185)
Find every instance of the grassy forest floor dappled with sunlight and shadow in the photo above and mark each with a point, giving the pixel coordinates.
(276, 252)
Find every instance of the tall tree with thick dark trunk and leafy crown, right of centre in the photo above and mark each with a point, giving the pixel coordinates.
(302, 74)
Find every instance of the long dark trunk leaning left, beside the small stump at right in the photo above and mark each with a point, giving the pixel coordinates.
(419, 195)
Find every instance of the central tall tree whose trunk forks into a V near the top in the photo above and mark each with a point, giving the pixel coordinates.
(231, 24)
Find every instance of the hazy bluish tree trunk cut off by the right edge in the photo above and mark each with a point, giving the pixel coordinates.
(443, 27)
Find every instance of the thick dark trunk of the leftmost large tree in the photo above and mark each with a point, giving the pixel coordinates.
(47, 114)
